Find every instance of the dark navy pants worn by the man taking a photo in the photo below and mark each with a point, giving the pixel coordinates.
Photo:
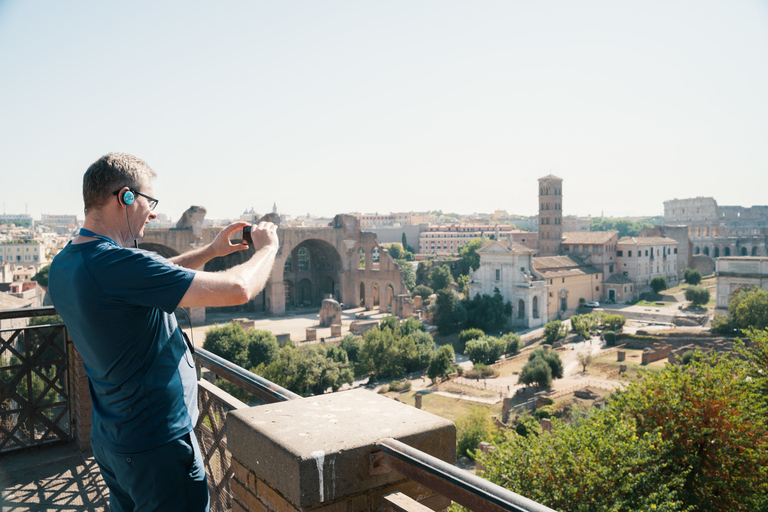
(169, 477)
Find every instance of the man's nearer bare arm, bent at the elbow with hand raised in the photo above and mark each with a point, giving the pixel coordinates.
(239, 284)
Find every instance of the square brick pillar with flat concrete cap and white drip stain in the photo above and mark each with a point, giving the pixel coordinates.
(319, 453)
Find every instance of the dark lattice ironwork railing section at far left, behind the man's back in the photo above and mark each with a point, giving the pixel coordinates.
(34, 386)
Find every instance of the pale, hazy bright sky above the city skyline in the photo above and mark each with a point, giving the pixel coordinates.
(325, 107)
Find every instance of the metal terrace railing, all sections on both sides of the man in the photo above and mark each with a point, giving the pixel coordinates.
(36, 409)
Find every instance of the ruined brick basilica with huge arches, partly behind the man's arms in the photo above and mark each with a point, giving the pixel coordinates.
(338, 261)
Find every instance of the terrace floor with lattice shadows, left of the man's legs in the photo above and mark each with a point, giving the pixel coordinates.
(51, 478)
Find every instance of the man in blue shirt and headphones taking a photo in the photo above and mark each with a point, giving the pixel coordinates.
(118, 306)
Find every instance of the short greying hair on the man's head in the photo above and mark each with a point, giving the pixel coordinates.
(110, 173)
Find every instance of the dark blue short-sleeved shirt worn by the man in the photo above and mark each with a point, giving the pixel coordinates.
(118, 306)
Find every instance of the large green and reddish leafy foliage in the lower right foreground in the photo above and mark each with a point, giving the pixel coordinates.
(684, 438)
